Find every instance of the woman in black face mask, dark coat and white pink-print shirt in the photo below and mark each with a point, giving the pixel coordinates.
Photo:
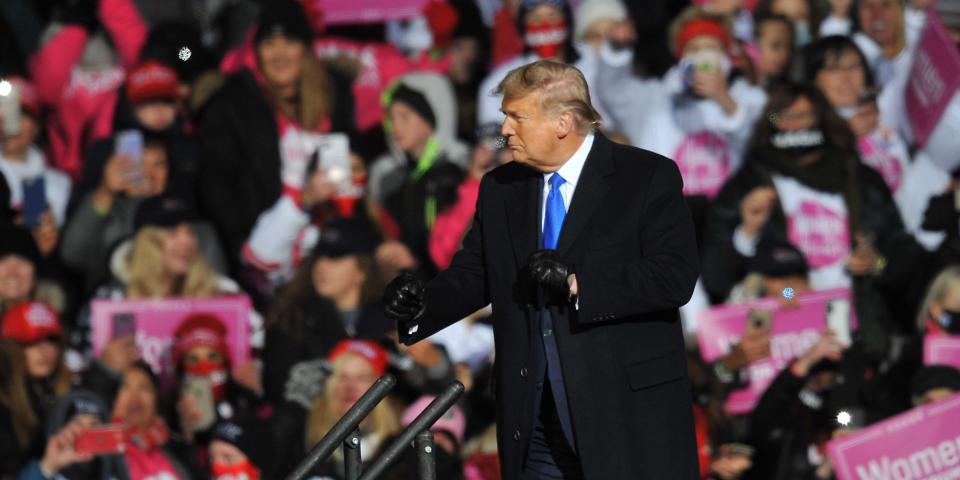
(802, 182)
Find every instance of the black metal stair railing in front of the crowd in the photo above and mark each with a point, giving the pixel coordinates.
(345, 433)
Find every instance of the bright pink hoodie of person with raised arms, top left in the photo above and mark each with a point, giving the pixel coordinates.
(83, 102)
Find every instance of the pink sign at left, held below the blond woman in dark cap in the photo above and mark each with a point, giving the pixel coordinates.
(156, 320)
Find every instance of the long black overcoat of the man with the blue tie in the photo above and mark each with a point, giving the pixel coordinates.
(630, 239)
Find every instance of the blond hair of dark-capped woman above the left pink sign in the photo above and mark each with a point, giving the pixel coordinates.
(145, 267)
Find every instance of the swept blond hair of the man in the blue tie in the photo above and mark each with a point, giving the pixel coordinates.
(562, 89)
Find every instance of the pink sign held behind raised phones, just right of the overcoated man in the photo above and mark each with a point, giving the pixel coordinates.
(792, 332)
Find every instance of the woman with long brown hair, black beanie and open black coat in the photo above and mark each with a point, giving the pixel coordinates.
(256, 130)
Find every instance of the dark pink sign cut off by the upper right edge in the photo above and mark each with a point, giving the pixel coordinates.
(934, 77)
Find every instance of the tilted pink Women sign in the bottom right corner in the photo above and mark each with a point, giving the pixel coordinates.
(921, 444)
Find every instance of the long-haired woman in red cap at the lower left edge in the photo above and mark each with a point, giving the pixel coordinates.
(32, 376)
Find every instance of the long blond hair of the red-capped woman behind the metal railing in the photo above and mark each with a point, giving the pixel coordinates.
(383, 421)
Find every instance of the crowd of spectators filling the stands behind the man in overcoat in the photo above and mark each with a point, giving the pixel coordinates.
(200, 150)
